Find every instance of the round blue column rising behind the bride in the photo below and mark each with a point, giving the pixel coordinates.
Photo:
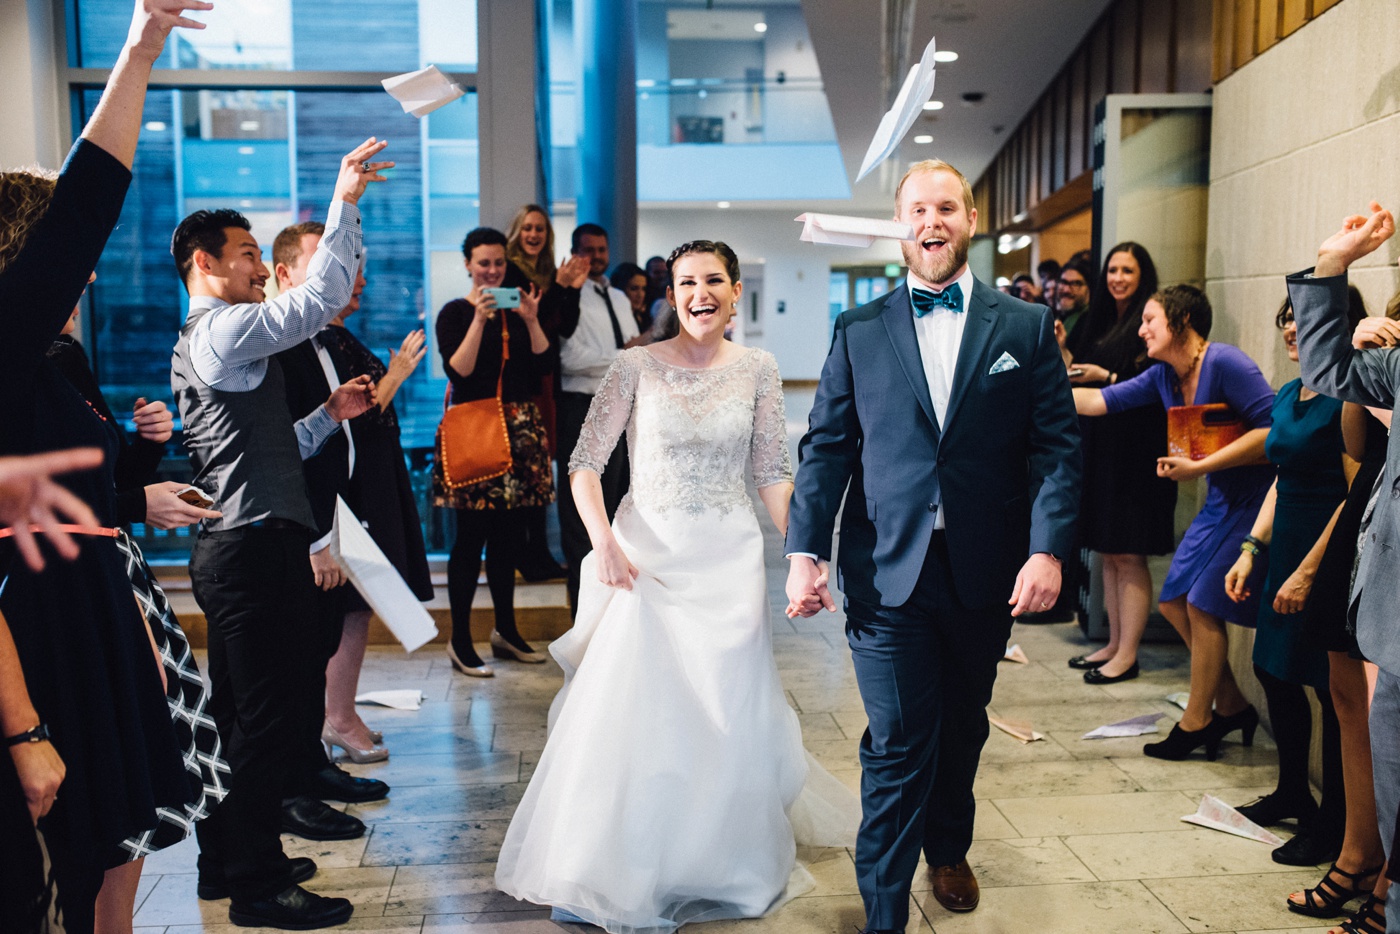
(605, 34)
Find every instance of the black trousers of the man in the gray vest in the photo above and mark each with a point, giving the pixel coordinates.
(257, 592)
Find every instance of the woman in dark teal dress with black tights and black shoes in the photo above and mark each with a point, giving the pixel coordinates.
(1294, 526)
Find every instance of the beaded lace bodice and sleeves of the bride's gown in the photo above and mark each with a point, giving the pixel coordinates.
(691, 433)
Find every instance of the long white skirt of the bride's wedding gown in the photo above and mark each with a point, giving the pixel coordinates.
(674, 786)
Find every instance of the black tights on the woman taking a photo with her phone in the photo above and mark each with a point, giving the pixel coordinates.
(503, 536)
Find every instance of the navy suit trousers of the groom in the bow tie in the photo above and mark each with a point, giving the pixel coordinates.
(926, 673)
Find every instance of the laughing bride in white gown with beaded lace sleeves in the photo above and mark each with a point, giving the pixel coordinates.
(674, 786)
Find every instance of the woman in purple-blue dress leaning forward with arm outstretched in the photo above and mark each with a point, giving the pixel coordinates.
(1177, 324)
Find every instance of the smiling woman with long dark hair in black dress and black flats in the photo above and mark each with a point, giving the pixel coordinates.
(1128, 512)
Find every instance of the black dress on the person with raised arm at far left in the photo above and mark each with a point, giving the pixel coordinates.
(82, 642)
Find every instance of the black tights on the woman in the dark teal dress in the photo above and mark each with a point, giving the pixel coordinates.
(1291, 718)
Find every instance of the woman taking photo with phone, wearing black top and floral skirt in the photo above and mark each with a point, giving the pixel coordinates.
(471, 335)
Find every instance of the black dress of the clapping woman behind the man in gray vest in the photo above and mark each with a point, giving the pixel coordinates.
(381, 494)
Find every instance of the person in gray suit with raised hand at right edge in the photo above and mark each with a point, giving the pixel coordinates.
(1368, 376)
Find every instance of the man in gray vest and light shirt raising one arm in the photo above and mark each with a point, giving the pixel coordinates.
(251, 571)
